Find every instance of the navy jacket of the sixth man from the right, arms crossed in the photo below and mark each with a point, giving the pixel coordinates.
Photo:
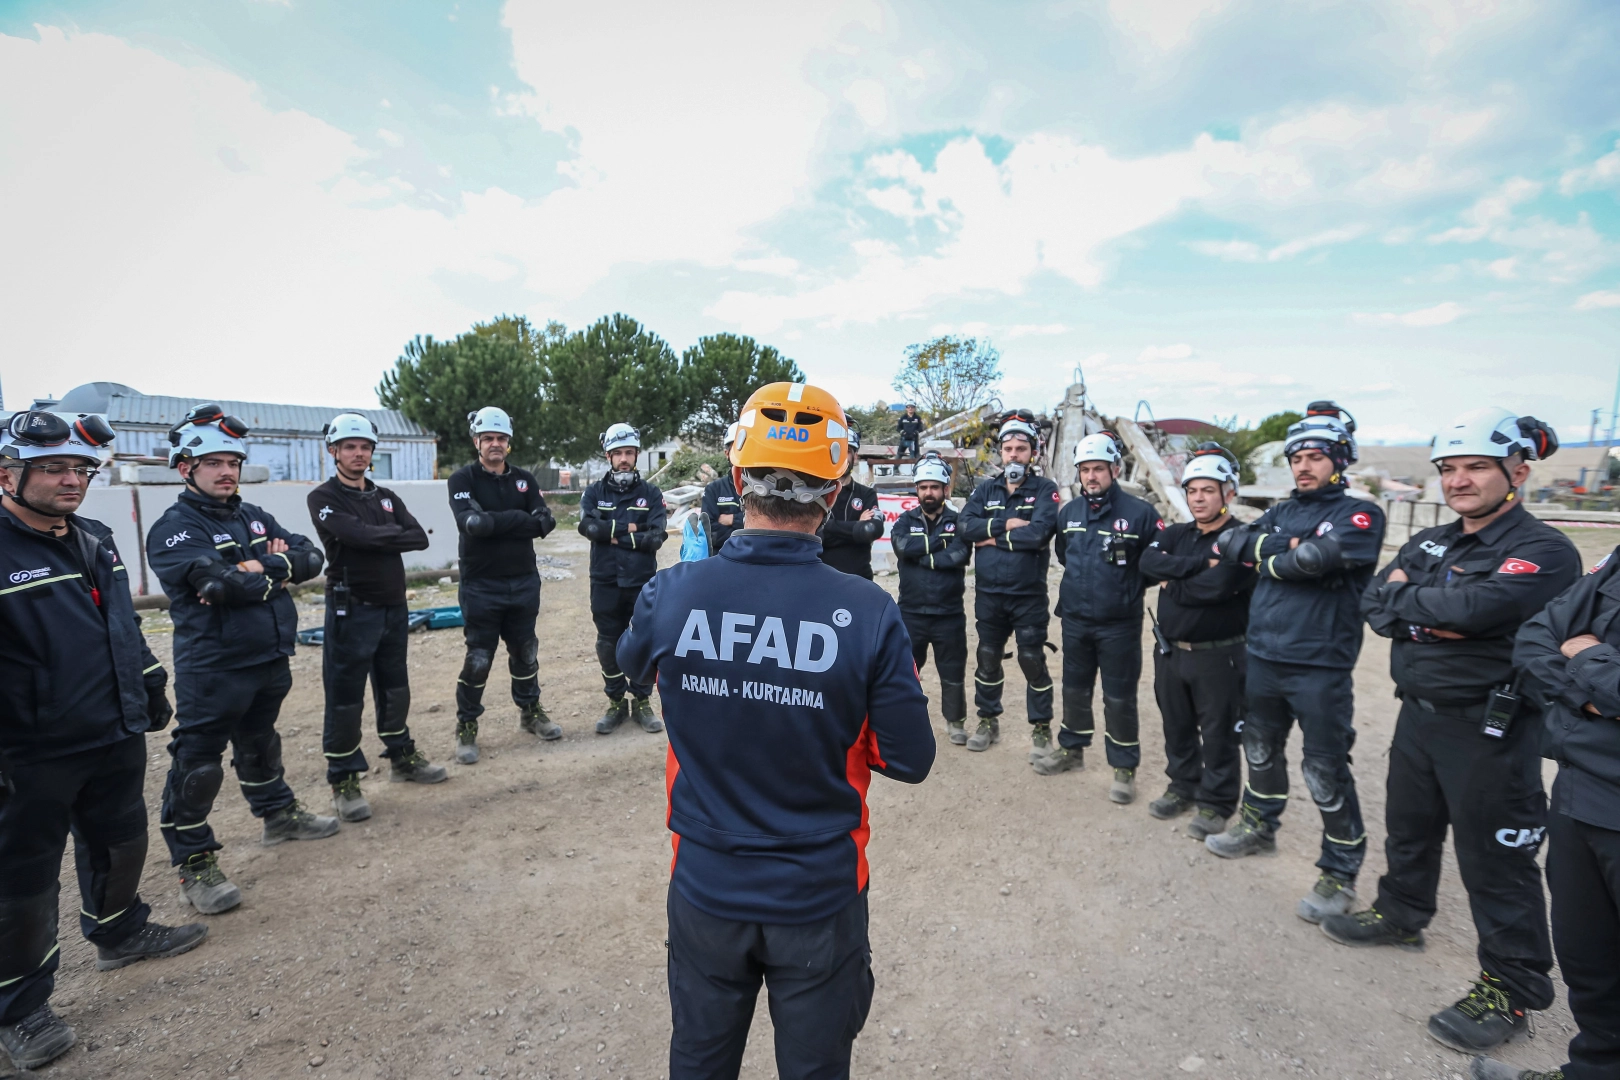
(1017, 566)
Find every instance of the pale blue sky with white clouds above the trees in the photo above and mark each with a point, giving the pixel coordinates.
(1221, 206)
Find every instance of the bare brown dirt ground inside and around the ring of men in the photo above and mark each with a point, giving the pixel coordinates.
(511, 922)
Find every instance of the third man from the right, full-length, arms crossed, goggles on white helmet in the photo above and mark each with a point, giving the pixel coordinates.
(1315, 555)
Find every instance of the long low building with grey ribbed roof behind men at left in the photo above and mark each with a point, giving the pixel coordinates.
(284, 438)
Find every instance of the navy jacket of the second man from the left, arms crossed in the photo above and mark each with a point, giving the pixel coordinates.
(258, 621)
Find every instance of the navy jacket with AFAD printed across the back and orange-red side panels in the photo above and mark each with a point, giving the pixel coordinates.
(785, 686)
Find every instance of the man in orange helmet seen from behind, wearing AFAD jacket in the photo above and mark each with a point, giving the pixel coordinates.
(787, 686)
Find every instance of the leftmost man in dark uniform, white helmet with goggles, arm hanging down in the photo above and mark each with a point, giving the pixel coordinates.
(79, 691)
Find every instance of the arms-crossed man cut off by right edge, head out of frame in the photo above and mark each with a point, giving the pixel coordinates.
(1571, 658)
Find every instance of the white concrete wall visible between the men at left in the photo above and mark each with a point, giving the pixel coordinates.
(119, 508)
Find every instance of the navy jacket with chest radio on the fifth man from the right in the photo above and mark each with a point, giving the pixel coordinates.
(1094, 589)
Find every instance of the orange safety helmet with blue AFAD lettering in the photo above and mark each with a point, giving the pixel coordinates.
(795, 427)
